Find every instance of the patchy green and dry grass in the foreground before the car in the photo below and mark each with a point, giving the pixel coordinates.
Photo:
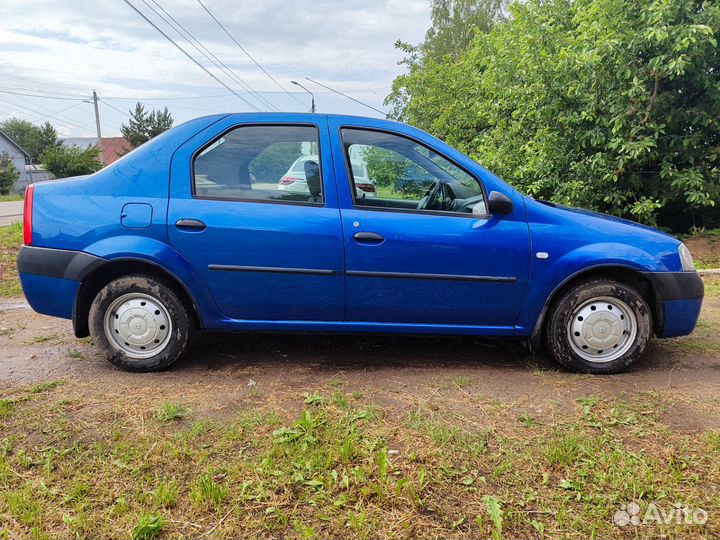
(344, 468)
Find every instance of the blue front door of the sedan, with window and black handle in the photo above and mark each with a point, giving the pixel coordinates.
(422, 249)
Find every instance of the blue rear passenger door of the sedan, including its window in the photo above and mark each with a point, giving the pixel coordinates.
(266, 253)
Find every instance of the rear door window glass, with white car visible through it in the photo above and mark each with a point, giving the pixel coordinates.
(261, 163)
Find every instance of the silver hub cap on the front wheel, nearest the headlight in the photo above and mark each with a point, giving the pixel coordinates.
(602, 329)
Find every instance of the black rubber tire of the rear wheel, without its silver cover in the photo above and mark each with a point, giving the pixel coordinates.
(179, 331)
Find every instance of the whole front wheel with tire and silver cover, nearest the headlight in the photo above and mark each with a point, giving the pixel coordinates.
(599, 326)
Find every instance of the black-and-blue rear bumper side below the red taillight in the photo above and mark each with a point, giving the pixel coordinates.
(51, 277)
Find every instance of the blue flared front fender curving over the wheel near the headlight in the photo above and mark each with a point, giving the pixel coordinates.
(547, 276)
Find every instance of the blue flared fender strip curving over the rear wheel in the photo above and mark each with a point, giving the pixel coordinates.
(150, 250)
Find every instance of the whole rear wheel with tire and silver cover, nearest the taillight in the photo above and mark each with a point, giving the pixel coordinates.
(140, 323)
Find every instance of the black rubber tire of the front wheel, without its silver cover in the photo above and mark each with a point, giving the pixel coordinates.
(571, 302)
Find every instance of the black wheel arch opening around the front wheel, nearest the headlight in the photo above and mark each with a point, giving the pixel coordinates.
(623, 274)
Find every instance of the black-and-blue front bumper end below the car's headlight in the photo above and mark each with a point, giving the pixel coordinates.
(679, 296)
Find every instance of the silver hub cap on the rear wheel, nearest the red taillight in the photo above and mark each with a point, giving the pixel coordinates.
(138, 324)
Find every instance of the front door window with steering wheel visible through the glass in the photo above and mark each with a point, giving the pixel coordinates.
(407, 175)
